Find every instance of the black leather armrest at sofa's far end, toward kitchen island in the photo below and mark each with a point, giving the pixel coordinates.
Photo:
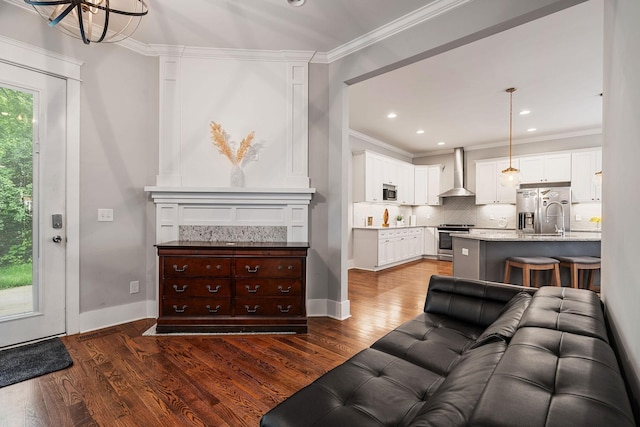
(474, 301)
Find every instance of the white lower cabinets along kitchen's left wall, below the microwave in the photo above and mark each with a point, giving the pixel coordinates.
(375, 249)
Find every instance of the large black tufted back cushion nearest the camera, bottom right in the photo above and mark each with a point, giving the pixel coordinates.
(552, 378)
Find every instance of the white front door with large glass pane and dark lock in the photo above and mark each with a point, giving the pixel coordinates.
(32, 205)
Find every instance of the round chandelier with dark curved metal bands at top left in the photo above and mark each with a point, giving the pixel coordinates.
(93, 21)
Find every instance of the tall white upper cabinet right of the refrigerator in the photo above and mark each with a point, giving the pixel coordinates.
(584, 165)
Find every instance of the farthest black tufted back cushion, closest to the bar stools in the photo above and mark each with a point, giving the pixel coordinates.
(566, 309)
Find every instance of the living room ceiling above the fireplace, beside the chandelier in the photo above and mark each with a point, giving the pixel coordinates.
(318, 25)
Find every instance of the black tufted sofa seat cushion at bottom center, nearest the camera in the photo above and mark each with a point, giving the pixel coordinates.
(370, 389)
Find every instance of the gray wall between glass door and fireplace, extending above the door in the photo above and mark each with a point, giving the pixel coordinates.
(118, 157)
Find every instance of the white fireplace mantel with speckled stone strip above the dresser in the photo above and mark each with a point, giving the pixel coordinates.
(231, 213)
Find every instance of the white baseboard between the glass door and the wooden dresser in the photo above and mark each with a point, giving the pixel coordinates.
(112, 316)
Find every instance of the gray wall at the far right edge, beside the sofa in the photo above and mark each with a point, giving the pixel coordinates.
(620, 235)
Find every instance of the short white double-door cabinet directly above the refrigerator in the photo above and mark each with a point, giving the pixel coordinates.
(554, 167)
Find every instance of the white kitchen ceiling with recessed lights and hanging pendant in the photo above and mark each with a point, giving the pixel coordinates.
(555, 63)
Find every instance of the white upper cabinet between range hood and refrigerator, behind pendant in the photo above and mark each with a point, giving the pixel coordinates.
(488, 187)
